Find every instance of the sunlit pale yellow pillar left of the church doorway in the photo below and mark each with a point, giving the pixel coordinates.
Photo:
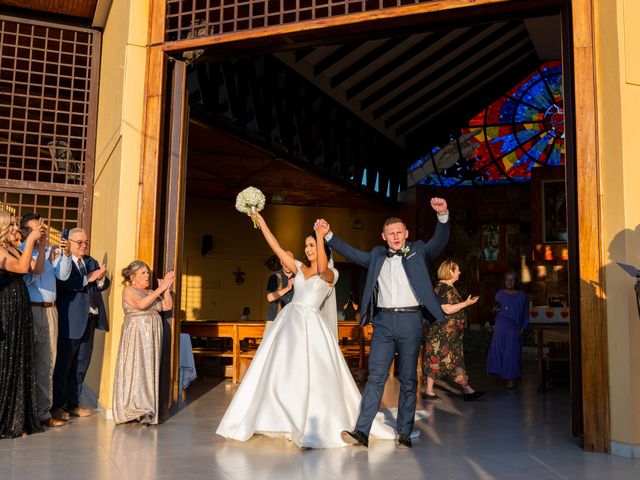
(118, 147)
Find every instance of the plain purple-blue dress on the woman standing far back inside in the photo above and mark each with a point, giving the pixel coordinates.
(506, 344)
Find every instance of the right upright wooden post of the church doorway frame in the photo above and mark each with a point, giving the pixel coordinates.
(595, 368)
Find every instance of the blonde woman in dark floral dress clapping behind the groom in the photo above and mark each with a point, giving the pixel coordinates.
(443, 352)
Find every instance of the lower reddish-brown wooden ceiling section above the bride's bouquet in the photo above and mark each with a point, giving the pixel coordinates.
(220, 165)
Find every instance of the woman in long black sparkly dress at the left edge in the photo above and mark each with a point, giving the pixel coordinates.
(17, 382)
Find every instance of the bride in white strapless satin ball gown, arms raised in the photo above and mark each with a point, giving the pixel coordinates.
(298, 385)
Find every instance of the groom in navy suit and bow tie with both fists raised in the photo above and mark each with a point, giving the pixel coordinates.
(397, 292)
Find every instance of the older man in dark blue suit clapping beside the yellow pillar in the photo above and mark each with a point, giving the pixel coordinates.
(80, 312)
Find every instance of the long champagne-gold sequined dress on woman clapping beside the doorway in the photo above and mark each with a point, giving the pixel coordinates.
(135, 393)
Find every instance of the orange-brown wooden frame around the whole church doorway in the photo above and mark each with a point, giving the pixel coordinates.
(584, 179)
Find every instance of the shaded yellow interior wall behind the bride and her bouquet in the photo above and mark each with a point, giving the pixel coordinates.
(209, 288)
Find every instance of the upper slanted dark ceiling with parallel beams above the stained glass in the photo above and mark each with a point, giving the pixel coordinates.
(423, 86)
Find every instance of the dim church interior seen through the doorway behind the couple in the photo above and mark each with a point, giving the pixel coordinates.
(369, 128)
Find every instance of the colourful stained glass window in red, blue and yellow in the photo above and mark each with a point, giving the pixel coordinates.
(522, 130)
